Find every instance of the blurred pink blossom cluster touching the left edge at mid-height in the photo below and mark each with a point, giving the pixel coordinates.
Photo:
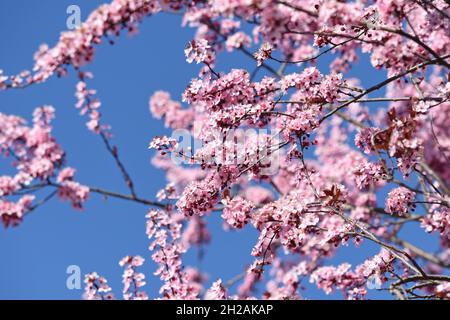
(36, 156)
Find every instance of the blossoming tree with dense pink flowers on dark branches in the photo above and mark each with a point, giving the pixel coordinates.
(311, 159)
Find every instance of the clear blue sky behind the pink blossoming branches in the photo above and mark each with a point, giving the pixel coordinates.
(34, 256)
